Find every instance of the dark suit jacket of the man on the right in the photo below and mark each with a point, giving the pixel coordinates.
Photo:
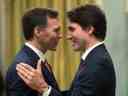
(95, 76)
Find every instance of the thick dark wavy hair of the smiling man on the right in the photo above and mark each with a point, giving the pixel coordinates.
(90, 15)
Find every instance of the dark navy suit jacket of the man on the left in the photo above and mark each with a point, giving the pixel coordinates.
(14, 85)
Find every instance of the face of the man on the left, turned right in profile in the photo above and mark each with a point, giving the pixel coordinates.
(51, 35)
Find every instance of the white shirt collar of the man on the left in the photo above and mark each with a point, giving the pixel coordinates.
(37, 51)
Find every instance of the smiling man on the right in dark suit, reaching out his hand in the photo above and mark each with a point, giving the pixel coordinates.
(95, 75)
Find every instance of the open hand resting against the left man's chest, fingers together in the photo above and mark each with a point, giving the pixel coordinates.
(32, 77)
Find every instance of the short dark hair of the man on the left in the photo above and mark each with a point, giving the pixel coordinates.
(36, 17)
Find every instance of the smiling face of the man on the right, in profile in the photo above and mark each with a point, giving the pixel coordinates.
(77, 36)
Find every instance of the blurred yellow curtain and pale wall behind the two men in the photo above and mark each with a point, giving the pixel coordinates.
(64, 61)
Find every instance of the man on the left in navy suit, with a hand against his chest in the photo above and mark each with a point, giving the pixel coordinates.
(41, 31)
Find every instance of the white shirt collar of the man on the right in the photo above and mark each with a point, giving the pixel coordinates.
(85, 54)
